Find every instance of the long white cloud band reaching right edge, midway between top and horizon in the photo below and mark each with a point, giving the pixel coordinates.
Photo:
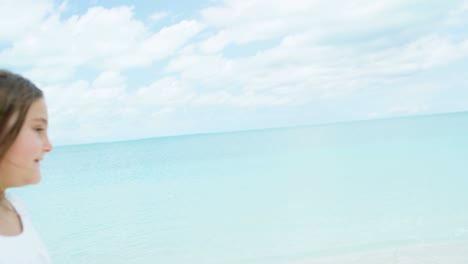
(300, 71)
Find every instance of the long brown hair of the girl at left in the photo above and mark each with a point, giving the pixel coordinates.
(17, 94)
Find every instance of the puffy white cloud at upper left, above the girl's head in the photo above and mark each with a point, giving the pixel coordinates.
(77, 40)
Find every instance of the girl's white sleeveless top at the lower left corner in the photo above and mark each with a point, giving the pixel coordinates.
(25, 248)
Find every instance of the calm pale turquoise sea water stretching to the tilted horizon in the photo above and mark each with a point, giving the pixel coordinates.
(267, 196)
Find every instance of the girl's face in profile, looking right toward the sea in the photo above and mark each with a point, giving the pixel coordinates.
(20, 165)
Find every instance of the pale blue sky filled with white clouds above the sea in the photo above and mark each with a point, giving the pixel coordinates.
(122, 70)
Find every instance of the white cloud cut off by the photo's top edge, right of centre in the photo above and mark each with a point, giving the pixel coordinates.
(241, 22)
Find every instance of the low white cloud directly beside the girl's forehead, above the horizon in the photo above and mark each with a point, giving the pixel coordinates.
(100, 110)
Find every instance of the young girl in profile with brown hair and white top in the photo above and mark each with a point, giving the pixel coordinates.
(23, 144)
